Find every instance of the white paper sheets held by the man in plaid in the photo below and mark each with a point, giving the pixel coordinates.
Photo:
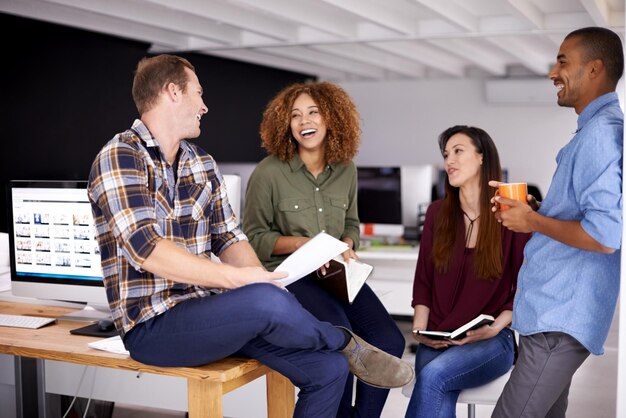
(311, 256)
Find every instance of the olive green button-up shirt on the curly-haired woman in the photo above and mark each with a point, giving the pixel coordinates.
(284, 199)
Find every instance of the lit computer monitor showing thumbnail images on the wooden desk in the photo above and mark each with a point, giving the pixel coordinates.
(53, 251)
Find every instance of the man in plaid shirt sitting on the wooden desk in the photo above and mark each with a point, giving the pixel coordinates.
(161, 208)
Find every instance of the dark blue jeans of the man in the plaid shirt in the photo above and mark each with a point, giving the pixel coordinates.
(259, 321)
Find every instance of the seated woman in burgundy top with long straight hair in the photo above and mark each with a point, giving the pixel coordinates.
(467, 266)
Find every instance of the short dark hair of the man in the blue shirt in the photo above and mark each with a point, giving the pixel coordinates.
(604, 44)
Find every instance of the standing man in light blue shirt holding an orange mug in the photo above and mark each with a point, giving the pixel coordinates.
(569, 281)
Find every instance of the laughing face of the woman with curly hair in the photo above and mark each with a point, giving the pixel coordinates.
(307, 124)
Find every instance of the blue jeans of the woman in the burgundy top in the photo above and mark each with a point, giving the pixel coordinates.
(442, 374)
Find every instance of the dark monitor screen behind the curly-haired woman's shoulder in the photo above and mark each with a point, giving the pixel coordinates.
(379, 195)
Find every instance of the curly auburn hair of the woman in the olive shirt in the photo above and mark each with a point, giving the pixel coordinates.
(343, 130)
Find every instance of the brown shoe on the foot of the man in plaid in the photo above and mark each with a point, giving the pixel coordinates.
(373, 366)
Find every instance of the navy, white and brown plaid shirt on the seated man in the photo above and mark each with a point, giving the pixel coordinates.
(136, 202)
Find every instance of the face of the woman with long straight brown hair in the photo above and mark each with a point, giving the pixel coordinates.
(462, 161)
